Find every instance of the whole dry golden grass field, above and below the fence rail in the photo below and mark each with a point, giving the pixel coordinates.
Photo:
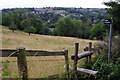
(36, 69)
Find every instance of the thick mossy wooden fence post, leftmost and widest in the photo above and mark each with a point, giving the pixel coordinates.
(22, 63)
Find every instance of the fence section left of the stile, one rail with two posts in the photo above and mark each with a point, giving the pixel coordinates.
(21, 54)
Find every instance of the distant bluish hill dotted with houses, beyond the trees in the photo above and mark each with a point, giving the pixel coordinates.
(52, 14)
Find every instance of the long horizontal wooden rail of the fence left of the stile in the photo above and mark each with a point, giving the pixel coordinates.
(7, 52)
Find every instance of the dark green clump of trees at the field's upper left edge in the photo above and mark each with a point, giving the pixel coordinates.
(21, 19)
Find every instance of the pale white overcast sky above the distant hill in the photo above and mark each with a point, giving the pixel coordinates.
(52, 3)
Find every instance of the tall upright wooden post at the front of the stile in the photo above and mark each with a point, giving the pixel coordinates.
(76, 58)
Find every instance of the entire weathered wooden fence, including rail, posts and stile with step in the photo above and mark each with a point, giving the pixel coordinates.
(21, 54)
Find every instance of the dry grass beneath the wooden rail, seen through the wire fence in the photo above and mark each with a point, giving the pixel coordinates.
(38, 67)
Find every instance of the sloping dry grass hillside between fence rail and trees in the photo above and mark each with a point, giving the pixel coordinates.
(11, 40)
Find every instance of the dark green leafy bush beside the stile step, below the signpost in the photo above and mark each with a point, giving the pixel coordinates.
(107, 72)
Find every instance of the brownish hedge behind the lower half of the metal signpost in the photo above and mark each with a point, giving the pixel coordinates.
(104, 47)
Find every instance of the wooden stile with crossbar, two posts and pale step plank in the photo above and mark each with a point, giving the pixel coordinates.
(87, 54)
